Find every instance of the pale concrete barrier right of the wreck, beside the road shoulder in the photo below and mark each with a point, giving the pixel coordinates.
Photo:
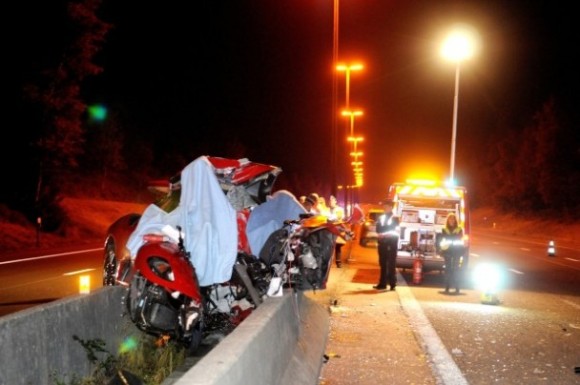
(282, 342)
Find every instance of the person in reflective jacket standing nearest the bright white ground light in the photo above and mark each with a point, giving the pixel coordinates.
(452, 249)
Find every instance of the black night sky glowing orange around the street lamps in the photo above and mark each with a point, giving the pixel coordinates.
(196, 77)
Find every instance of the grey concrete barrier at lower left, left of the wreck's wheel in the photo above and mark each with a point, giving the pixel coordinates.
(38, 342)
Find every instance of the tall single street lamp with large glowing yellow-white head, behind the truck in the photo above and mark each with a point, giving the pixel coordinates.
(460, 45)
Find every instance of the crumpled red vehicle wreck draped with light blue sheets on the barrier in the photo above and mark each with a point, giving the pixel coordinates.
(223, 214)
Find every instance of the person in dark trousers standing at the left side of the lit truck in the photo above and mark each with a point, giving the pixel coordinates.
(388, 235)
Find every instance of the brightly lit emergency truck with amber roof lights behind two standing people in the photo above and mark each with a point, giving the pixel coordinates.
(422, 208)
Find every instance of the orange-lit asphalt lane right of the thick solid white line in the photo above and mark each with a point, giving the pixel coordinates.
(533, 335)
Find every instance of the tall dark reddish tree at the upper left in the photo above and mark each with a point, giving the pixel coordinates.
(62, 141)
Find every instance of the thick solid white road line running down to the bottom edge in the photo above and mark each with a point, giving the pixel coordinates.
(444, 367)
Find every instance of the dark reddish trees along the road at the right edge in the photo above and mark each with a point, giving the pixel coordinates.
(535, 170)
